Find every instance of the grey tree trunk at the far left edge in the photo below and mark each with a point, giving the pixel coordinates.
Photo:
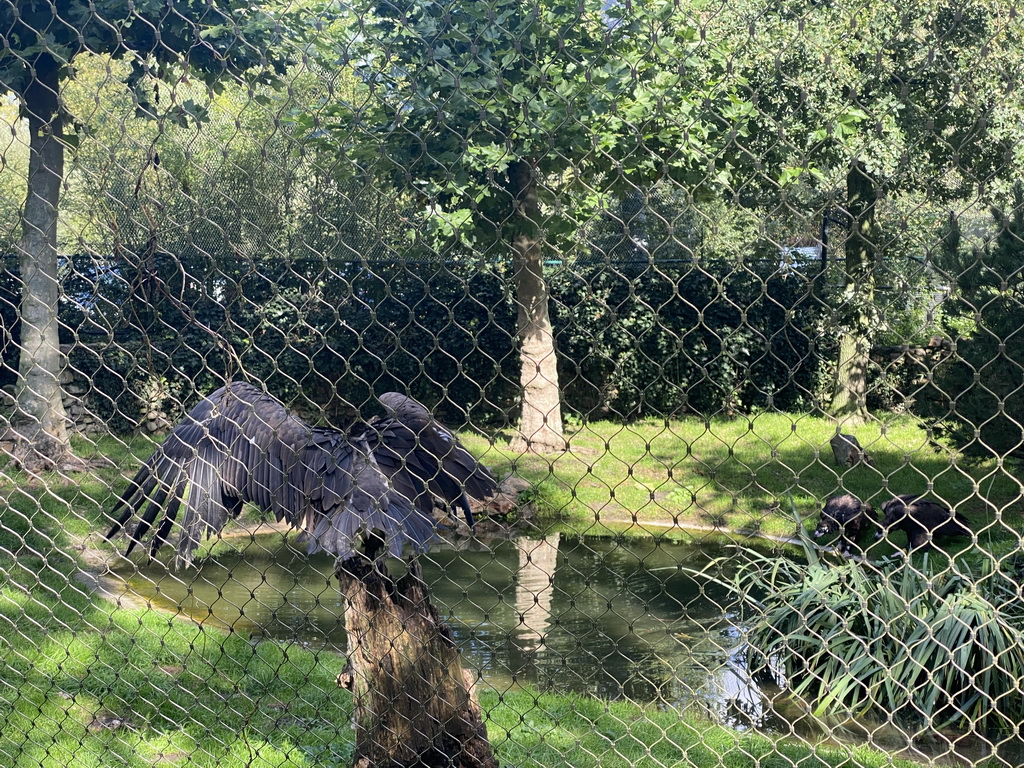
(39, 424)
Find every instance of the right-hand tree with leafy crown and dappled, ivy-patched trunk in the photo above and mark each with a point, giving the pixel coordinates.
(856, 102)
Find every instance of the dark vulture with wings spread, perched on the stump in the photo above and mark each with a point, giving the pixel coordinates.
(376, 483)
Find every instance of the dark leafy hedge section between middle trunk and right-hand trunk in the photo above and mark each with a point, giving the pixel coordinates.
(693, 336)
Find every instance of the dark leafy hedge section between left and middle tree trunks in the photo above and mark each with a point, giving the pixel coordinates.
(446, 336)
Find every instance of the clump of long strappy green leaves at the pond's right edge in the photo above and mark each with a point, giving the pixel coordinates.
(854, 638)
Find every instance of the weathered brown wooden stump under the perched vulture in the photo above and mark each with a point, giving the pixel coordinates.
(414, 704)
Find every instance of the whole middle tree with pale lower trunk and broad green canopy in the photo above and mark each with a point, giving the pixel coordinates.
(511, 123)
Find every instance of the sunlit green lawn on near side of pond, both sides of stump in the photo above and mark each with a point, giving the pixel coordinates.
(86, 684)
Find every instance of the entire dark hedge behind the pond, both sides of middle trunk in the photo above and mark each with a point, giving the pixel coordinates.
(700, 337)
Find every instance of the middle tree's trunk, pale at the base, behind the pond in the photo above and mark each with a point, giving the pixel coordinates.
(541, 422)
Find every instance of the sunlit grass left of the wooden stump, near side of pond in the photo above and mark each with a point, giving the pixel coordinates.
(84, 684)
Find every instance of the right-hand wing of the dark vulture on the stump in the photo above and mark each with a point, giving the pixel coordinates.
(433, 454)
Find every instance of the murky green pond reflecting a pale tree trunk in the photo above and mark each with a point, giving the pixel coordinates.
(611, 617)
